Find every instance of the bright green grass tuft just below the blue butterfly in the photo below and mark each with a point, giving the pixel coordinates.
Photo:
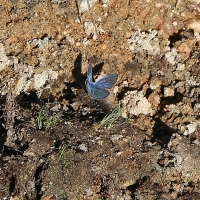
(110, 119)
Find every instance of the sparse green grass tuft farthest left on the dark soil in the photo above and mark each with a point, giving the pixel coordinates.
(46, 120)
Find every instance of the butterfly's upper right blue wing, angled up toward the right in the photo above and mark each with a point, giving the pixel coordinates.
(107, 82)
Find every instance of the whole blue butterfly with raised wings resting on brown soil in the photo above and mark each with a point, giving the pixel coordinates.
(98, 90)
